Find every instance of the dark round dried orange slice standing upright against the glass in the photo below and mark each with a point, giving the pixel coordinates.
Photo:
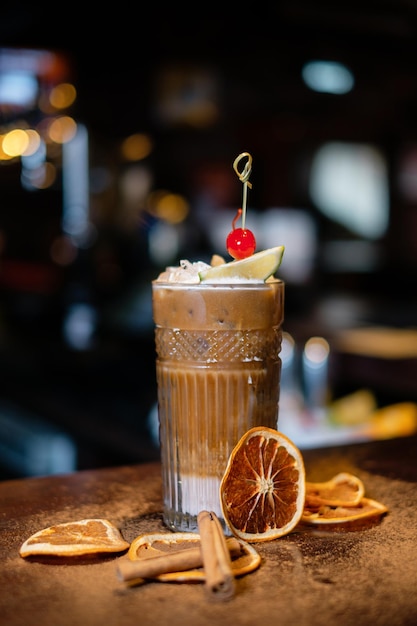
(262, 491)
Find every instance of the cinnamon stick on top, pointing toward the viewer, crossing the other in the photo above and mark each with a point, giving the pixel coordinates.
(220, 580)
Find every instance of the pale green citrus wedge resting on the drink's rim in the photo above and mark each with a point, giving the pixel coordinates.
(258, 266)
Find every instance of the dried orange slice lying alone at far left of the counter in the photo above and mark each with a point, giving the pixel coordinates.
(87, 536)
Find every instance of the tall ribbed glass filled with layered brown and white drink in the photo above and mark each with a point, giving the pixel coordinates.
(218, 375)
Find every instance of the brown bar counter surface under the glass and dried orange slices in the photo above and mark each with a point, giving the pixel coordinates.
(356, 577)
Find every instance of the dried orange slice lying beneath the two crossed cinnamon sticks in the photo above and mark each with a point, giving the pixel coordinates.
(157, 544)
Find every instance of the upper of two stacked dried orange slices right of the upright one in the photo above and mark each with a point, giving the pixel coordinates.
(344, 489)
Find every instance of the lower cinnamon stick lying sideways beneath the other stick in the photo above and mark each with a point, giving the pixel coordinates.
(176, 561)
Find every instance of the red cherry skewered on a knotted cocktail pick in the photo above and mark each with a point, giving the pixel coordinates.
(240, 242)
